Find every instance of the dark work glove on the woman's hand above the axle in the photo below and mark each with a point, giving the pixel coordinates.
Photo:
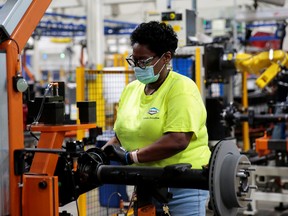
(118, 153)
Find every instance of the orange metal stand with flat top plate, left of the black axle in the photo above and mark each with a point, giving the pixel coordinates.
(40, 186)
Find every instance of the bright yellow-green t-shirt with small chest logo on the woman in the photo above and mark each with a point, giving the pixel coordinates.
(176, 106)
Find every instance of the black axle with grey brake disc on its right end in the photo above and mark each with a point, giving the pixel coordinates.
(227, 177)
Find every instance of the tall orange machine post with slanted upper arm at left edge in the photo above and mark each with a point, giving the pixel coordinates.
(20, 35)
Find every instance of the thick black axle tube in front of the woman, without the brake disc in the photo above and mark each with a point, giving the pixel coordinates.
(128, 175)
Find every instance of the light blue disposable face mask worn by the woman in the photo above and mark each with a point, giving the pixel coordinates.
(147, 75)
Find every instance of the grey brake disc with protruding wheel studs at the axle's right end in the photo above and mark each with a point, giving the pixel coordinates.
(229, 179)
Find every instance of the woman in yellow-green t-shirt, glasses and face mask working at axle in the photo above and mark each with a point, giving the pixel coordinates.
(161, 118)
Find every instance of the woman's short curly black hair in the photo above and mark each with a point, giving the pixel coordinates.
(158, 37)
